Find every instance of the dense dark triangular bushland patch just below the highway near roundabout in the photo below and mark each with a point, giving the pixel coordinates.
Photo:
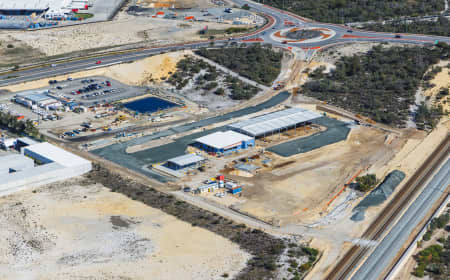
(260, 64)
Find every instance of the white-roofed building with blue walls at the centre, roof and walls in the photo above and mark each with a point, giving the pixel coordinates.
(224, 142)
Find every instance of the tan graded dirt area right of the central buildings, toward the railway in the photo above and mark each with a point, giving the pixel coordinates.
(298, 192)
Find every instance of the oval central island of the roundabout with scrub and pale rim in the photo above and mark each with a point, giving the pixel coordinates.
(303, 35)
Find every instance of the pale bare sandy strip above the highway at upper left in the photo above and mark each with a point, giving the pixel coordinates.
(126, 29)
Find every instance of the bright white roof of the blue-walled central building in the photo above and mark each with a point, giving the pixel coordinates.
(220, 140)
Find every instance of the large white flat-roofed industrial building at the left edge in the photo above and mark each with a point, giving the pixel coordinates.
(39, 164)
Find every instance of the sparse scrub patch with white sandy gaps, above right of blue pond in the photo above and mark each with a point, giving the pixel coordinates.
(211, 80)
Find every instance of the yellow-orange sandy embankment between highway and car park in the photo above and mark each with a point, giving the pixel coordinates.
(137, 73)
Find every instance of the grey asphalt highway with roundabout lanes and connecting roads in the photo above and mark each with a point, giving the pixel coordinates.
(341, 36)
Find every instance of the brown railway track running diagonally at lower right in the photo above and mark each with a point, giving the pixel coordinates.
(345, 267)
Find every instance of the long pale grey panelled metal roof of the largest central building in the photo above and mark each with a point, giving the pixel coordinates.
(274, 121)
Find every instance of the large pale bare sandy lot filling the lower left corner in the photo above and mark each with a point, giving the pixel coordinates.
(76, 230)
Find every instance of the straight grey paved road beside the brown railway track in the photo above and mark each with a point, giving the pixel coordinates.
(386, 251)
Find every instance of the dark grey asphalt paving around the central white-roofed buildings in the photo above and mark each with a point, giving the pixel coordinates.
(140, 161)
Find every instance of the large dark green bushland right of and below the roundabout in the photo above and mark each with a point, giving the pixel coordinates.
(380, 84)
